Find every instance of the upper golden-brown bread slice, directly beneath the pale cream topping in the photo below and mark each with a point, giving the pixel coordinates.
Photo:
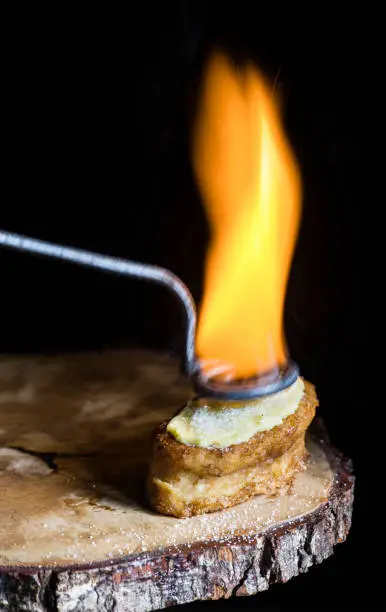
(171, 457)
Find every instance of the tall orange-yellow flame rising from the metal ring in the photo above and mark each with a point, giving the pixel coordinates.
(251, 187)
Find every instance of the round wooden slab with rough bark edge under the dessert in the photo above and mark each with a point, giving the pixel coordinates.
(76, 532)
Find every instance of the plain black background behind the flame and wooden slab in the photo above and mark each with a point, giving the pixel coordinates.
(98, 108)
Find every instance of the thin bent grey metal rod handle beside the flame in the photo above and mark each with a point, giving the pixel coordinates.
(116, 265)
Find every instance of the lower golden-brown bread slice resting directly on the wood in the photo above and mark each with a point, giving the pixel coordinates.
(187, 495)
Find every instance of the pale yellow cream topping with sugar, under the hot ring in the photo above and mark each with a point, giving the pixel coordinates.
(219, 425)
